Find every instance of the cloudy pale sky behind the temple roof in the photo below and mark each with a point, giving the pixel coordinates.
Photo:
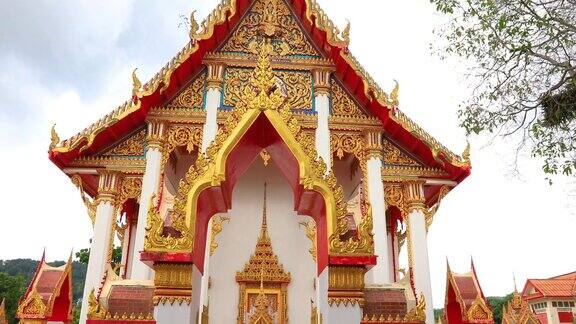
(69, 62)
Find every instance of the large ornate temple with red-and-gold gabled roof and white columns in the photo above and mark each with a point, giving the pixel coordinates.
(265, 94)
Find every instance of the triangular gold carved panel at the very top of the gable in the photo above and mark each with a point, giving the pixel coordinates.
(274, 20)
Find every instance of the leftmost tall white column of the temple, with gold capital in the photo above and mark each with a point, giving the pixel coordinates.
(100, 247)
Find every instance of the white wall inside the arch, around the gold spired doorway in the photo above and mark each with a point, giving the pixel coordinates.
(238, 240)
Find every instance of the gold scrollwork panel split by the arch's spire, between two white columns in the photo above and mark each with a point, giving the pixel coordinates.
(297, 84)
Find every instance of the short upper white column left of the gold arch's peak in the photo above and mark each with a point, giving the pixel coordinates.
(212, 103)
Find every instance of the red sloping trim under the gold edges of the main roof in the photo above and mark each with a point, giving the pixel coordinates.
(188, 68)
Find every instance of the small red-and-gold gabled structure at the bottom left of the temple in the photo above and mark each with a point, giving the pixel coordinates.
(48, 298)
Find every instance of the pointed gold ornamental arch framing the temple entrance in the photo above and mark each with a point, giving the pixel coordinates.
(261, 99)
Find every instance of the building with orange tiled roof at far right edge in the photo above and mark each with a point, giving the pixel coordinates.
(553, 299)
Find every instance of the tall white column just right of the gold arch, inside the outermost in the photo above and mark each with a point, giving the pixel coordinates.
(380, 273)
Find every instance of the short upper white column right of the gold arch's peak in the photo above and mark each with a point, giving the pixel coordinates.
(322, 106)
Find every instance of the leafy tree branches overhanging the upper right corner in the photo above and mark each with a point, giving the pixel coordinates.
(522, 56)
